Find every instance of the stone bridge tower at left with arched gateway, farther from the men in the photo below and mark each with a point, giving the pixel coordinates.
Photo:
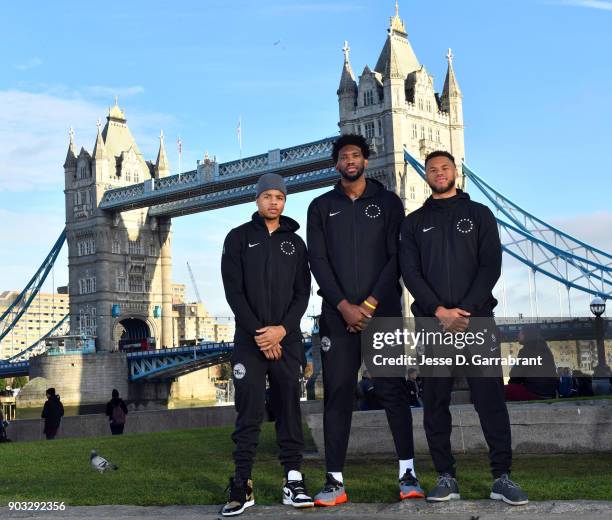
(120, 265)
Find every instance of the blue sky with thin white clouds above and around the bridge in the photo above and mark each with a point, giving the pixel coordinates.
(535, 76)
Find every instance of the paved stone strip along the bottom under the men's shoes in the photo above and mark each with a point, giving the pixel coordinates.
(417, 510)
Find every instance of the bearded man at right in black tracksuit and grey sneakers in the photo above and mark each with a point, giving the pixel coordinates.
(450, 258)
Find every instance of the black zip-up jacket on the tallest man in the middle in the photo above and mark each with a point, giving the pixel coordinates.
(352, 247)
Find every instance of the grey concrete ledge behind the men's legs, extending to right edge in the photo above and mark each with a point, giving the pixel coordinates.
(570, 427)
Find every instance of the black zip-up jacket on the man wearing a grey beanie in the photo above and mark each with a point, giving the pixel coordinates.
(266, 278)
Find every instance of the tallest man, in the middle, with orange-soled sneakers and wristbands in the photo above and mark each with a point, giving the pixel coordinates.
(352, 240)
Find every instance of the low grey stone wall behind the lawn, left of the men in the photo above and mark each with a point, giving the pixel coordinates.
(138, 422)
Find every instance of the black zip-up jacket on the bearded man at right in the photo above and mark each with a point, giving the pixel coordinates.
(450, 255)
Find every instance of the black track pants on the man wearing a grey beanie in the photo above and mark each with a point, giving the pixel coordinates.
(250, 368)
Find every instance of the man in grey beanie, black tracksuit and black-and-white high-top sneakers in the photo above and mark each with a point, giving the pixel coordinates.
(267, 285)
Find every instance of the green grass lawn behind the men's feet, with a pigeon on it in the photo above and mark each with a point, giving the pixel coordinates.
(192, 467)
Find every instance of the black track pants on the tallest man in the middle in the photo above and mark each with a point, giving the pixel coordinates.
(341, 359)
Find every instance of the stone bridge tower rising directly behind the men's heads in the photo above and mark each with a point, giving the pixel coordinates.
(395, 105)
